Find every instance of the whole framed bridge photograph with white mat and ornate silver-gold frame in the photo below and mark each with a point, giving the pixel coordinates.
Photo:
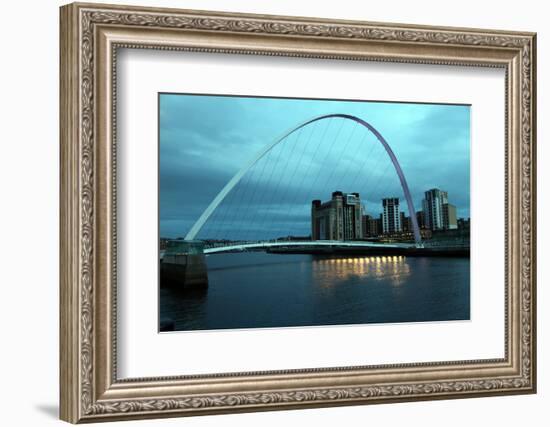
(266, 212)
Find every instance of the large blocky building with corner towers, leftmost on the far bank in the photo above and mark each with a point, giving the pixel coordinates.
(337, 219)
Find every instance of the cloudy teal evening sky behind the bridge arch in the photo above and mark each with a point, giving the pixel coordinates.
(205, 140)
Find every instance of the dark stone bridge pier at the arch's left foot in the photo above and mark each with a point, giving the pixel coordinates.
(184, 265)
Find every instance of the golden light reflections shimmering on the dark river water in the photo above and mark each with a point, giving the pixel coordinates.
(329, 272)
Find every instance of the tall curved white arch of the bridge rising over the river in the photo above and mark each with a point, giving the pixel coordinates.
(229, 186)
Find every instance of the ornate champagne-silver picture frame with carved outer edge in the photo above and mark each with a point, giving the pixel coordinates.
(90, 37)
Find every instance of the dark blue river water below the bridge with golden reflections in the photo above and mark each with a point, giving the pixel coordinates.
(258, 290)
